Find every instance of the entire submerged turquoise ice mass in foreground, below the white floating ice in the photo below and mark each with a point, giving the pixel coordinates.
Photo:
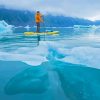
(58, 80)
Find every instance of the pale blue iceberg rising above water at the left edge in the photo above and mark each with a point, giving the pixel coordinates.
(4, 27)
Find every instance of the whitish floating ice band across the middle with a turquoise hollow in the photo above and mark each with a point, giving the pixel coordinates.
(51, 51)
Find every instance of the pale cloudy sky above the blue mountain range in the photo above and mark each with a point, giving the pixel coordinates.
(78, 8)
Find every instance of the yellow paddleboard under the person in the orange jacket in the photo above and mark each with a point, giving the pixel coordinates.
(42, 33)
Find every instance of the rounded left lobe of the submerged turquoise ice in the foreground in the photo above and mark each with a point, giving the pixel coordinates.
(31, 80)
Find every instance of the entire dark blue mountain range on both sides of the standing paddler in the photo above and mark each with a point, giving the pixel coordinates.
(18, 17)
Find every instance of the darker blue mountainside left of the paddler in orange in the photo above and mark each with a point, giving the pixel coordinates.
(16, 17)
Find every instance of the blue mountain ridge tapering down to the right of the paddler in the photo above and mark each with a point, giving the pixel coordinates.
(66, 21)
